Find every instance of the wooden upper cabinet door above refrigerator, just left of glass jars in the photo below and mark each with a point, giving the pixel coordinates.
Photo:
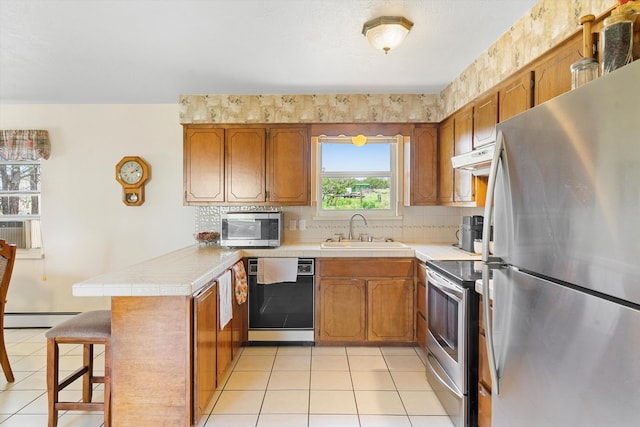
(552, 74)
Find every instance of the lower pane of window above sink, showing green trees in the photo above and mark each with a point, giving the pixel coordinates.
(356, 193)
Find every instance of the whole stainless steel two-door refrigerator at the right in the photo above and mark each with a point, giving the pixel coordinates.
(564, 200)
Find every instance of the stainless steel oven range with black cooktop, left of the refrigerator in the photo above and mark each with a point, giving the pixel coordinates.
(452, 338)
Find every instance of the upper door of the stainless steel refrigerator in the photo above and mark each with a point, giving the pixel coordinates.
(568, 203)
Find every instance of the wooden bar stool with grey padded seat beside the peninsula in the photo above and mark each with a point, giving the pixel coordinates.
(89, 328)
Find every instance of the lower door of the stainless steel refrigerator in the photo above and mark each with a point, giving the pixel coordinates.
(565, 358)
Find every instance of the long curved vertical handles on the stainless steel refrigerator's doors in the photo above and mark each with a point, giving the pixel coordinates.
(498, 157)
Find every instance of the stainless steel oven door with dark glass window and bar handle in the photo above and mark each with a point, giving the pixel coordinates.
(446, 338)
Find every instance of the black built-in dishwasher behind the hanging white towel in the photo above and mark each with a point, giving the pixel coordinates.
(282, 312)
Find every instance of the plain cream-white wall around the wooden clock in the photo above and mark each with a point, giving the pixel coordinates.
(86, 228)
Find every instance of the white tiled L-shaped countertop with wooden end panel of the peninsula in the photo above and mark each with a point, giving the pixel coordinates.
(153, 327)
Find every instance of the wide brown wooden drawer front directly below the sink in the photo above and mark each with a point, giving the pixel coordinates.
(366, 267)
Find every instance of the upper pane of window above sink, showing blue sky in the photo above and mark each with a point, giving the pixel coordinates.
(348, 157)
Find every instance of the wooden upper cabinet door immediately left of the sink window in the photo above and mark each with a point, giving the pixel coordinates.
(288, 179)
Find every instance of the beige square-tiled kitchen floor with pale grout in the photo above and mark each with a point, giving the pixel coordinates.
(268, 386)
